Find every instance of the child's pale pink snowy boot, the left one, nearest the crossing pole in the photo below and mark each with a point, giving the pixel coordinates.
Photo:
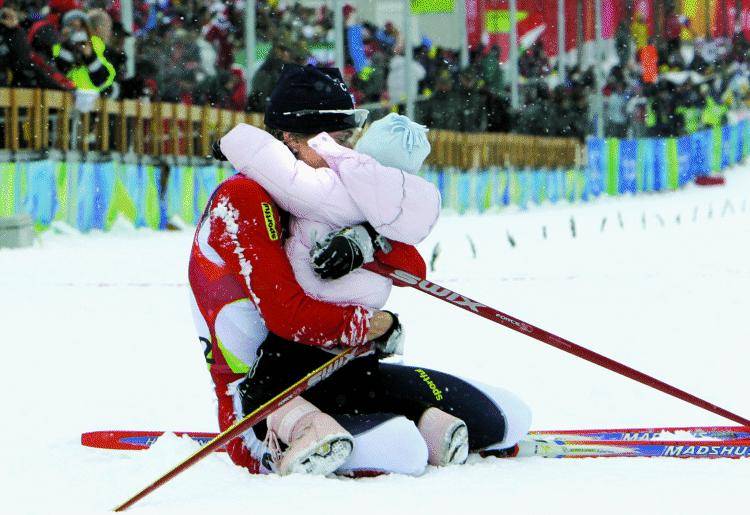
(316, 443)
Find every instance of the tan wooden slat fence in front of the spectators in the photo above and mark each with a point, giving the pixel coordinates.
(39, 120)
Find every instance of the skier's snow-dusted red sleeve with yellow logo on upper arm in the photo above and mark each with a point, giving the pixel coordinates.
(246, 231)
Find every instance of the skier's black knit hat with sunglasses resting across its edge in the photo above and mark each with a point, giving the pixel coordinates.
(304, 98)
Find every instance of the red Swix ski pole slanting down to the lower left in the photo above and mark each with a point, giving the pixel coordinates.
(307, 382)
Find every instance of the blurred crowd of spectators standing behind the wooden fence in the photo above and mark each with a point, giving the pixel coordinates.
(192, 51)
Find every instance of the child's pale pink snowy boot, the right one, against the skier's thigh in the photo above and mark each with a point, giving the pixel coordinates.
(447, 437)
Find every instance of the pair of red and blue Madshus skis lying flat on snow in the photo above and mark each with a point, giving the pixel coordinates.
(701, 442)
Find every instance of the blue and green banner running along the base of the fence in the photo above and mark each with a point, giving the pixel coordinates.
(94, 195)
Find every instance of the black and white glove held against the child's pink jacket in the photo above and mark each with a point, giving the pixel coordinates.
(345, 250)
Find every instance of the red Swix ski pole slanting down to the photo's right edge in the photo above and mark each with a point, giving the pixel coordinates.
(511, 322)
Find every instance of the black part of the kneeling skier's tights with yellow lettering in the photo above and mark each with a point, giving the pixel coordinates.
(366, 386)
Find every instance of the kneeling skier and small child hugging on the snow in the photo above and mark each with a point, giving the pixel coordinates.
(277, 285)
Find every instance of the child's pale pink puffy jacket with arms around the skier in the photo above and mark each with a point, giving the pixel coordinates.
(355, 189)
